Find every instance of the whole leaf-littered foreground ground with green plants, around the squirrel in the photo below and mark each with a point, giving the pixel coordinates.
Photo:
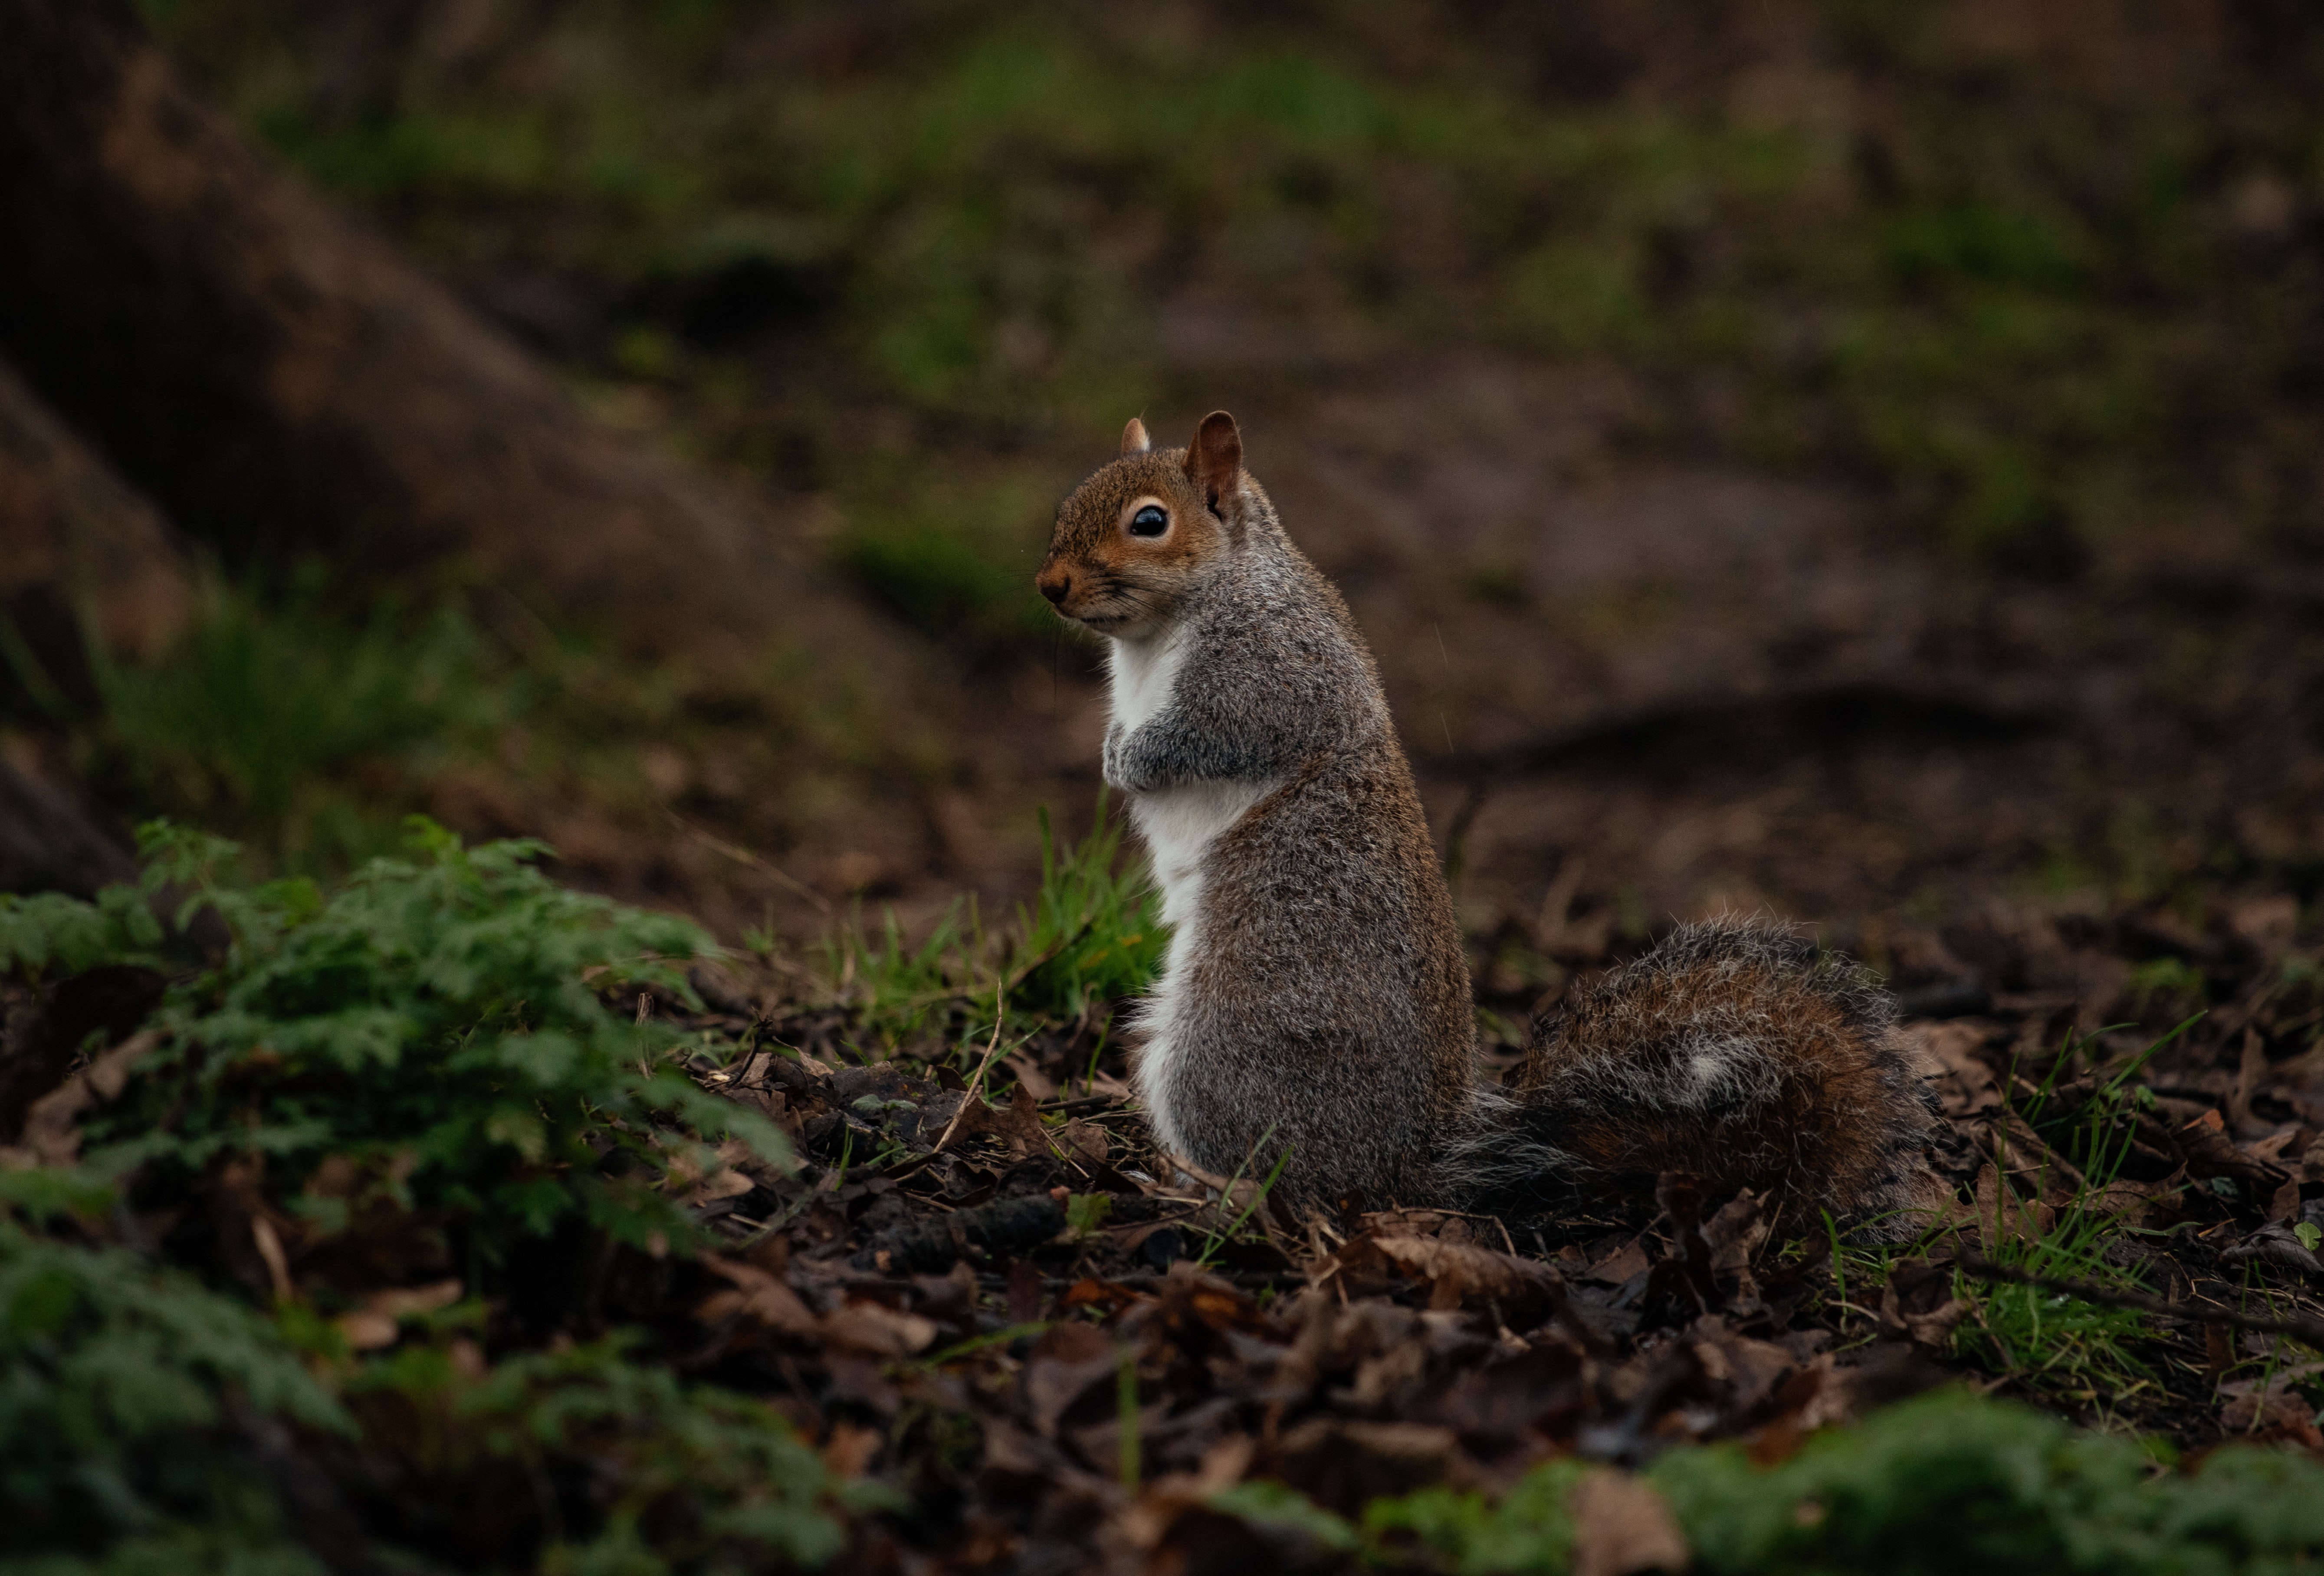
(875, 1259)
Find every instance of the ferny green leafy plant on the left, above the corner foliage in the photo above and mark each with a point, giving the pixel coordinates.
(443, 1031)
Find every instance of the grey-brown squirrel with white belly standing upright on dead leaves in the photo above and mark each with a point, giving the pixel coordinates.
(1314, 1003)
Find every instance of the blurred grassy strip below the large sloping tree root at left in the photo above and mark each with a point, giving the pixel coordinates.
(308, 724)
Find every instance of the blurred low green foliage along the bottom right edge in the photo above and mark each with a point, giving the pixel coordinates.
(1949, 1482)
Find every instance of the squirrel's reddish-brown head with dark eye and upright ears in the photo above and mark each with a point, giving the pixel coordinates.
(1135, 538)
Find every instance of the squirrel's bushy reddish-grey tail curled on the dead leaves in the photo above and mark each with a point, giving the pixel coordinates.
(1733, 1052)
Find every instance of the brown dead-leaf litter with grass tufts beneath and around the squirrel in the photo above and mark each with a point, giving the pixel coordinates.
(2114, 1191)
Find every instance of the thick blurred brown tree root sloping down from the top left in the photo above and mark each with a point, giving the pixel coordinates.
(280, 380)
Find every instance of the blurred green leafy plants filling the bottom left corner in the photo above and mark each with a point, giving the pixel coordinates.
(134, 1414)
